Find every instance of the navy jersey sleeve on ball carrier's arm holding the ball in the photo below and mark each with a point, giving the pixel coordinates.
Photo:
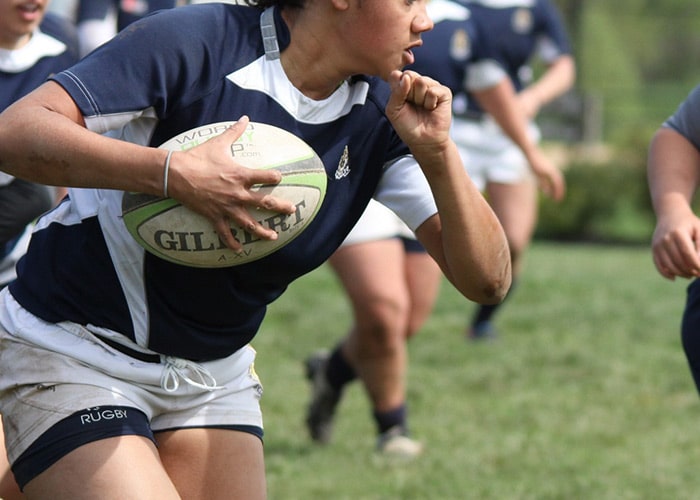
(163, 68)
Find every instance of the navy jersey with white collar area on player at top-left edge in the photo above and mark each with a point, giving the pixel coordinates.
(51, 49)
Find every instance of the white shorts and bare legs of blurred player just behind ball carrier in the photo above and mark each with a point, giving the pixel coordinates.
(392, 284)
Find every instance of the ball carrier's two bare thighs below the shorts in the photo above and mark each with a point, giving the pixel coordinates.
(193, 464)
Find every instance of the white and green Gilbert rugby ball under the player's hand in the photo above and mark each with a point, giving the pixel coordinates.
(175, 233)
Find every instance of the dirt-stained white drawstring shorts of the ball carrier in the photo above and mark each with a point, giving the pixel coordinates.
(52, 371)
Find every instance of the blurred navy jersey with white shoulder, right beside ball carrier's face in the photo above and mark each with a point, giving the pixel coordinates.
(457, 52)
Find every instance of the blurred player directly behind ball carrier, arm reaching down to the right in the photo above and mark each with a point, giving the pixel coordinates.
(392, 283)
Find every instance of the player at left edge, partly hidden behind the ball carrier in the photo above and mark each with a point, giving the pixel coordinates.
(33, 45)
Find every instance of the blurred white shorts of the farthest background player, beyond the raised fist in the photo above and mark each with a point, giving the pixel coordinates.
(488, 154)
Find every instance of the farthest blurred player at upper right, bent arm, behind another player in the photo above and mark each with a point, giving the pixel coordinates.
(523, 30)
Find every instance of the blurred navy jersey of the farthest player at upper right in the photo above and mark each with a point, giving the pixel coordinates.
(520, 30)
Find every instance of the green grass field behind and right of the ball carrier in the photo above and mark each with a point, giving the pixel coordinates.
(586, 394)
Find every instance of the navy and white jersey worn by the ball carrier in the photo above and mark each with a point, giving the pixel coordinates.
(82, 264)
